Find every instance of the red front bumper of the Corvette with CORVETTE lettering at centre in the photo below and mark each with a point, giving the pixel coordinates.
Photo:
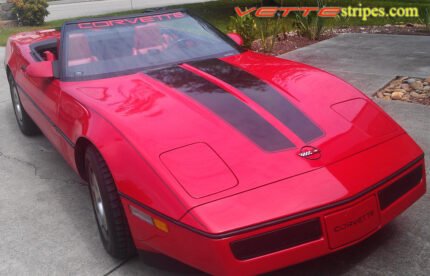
(341, 226)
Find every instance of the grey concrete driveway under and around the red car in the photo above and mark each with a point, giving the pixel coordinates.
(46, 221)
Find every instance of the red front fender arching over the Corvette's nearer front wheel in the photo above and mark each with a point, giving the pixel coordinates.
(133, 174)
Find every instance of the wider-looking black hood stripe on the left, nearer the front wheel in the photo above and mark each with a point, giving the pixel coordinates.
(224, 104)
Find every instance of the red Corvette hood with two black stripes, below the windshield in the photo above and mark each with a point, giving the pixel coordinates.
(219, 127)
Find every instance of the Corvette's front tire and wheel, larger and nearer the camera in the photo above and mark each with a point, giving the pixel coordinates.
(108, 210)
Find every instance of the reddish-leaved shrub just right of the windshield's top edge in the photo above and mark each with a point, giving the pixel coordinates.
(245, 26)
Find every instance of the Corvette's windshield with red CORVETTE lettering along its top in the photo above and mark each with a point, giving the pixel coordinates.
(97, 49)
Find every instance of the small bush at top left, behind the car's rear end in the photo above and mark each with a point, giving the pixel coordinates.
(30, 12)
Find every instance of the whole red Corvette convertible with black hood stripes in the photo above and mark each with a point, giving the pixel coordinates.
(228, 160)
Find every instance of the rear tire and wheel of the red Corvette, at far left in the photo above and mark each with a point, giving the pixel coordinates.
(25, 123)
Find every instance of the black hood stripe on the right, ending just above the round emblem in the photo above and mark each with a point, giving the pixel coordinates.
(263, 94)
